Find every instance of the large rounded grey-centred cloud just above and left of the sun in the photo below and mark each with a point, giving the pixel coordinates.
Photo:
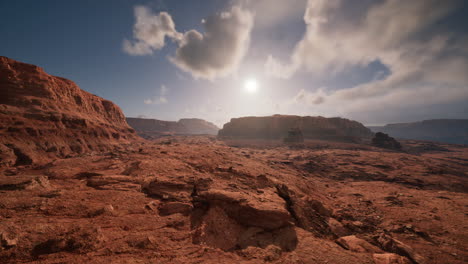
(219, 51)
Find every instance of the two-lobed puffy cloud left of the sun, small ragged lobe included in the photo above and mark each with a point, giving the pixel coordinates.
(215, 53)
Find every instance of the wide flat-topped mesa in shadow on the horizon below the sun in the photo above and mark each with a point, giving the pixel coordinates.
(277, 127)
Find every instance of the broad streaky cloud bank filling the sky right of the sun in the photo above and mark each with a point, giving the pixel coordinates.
(424, 67)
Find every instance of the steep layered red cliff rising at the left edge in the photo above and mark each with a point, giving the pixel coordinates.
(43, 117)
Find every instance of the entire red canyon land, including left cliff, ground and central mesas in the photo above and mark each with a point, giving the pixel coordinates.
(78, 185)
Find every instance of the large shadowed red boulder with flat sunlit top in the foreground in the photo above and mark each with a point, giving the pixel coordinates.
(232, 220)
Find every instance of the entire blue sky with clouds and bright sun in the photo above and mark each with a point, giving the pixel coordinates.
(374, 61)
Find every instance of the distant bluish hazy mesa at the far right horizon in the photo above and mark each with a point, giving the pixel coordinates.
(442, 130)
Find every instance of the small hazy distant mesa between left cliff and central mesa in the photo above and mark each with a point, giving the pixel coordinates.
(153, 128)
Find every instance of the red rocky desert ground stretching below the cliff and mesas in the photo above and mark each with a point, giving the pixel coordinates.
(200, 200)
